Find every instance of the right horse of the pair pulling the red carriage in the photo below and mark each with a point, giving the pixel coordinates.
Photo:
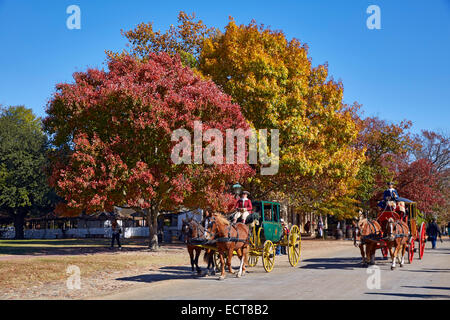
(397, 236)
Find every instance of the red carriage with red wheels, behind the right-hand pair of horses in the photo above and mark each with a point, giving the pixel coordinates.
(410, 216)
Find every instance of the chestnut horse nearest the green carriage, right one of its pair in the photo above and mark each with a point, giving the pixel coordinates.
(229, 238)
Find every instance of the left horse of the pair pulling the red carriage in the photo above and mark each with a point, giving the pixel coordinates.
(366, 236)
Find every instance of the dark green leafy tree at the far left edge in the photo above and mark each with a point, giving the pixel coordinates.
(24, 189)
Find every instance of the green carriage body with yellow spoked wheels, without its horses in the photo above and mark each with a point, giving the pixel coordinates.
(267, 232)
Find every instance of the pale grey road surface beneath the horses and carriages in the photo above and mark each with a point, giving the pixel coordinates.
(322, 274)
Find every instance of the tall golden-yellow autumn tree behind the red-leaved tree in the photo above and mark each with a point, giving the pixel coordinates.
(274, 82)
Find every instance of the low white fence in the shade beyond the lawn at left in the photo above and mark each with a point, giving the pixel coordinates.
(130, 232)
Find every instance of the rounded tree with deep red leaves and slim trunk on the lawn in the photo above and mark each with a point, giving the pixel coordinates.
(116, 128)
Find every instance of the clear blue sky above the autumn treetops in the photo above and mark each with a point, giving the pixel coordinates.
(399, 72)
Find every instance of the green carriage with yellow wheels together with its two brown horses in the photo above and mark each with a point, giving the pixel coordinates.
(264, 233)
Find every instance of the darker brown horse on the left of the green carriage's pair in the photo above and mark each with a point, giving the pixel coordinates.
(194, 233)
